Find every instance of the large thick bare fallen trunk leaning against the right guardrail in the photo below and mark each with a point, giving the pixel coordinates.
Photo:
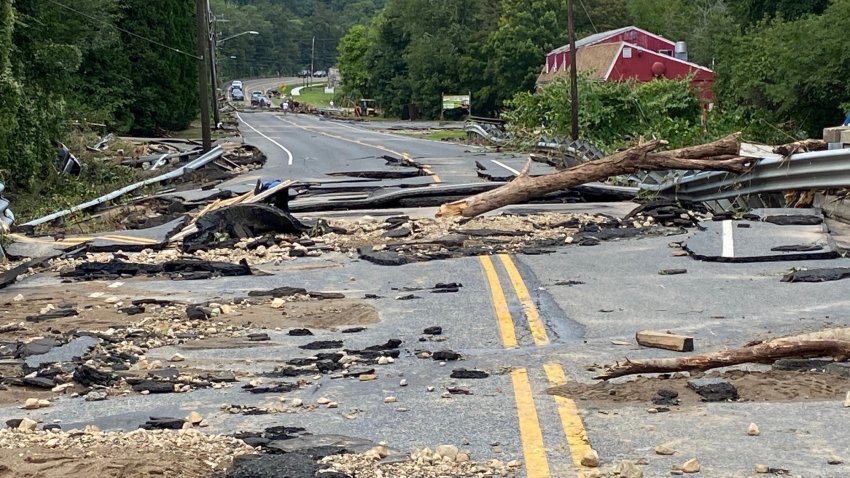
(721, 155)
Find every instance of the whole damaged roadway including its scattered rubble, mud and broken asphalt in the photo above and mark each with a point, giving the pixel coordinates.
(563, 300)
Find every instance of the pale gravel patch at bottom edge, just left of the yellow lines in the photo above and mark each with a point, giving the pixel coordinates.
(445, 460)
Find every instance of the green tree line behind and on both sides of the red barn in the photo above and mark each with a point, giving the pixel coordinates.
(781, 64)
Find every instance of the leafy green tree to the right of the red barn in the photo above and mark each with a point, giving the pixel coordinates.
(790, 75)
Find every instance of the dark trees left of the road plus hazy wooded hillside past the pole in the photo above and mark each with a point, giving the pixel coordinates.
(131, 65)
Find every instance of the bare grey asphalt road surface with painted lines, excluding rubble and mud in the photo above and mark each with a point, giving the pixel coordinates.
(517, 319)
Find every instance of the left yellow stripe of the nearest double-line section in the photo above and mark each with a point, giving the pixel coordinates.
(536, 464)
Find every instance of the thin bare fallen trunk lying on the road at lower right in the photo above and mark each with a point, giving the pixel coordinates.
(765, 352)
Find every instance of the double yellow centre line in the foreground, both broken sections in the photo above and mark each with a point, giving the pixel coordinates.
(531, 435)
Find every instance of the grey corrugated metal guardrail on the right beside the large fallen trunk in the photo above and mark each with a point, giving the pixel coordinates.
(813, 170)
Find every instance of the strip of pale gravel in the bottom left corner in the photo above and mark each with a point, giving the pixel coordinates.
(217, 450)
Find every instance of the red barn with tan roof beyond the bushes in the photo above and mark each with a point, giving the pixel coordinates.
(628, 54)
